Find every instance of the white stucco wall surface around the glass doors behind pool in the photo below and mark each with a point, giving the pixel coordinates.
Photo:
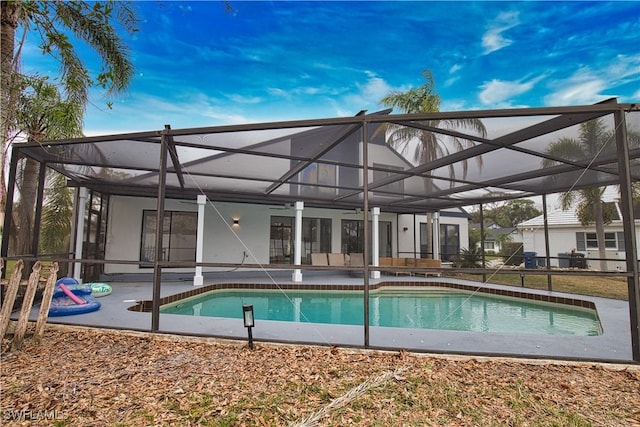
(252, 241)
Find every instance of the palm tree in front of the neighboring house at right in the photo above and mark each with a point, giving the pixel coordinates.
(593, 139)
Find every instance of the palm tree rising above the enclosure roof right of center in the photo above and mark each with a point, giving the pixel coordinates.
(431, 145)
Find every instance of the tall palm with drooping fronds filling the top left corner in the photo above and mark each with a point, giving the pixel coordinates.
(91, 22)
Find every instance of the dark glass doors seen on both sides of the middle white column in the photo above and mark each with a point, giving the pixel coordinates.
(316, 238)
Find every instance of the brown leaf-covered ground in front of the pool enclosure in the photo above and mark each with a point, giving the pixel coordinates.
(82, 376)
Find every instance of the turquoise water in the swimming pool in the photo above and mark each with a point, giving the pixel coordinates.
(424, 308)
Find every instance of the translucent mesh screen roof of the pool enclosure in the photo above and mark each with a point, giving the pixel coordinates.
(321, 162)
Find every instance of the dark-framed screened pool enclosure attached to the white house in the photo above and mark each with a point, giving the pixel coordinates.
(374, 168)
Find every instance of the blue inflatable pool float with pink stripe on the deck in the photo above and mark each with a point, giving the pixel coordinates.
(69, 297)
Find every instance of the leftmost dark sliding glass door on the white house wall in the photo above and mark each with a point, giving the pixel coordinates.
(178, 236)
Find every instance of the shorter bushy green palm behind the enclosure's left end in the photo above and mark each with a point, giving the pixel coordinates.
(42, 114)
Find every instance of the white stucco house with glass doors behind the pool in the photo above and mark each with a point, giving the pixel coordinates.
(237, 233)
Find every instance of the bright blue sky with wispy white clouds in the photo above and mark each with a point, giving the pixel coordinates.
(199, 65)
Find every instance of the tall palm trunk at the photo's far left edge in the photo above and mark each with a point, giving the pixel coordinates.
(9, 14)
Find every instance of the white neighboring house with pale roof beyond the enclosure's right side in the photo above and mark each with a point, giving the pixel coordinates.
(566, 234)
